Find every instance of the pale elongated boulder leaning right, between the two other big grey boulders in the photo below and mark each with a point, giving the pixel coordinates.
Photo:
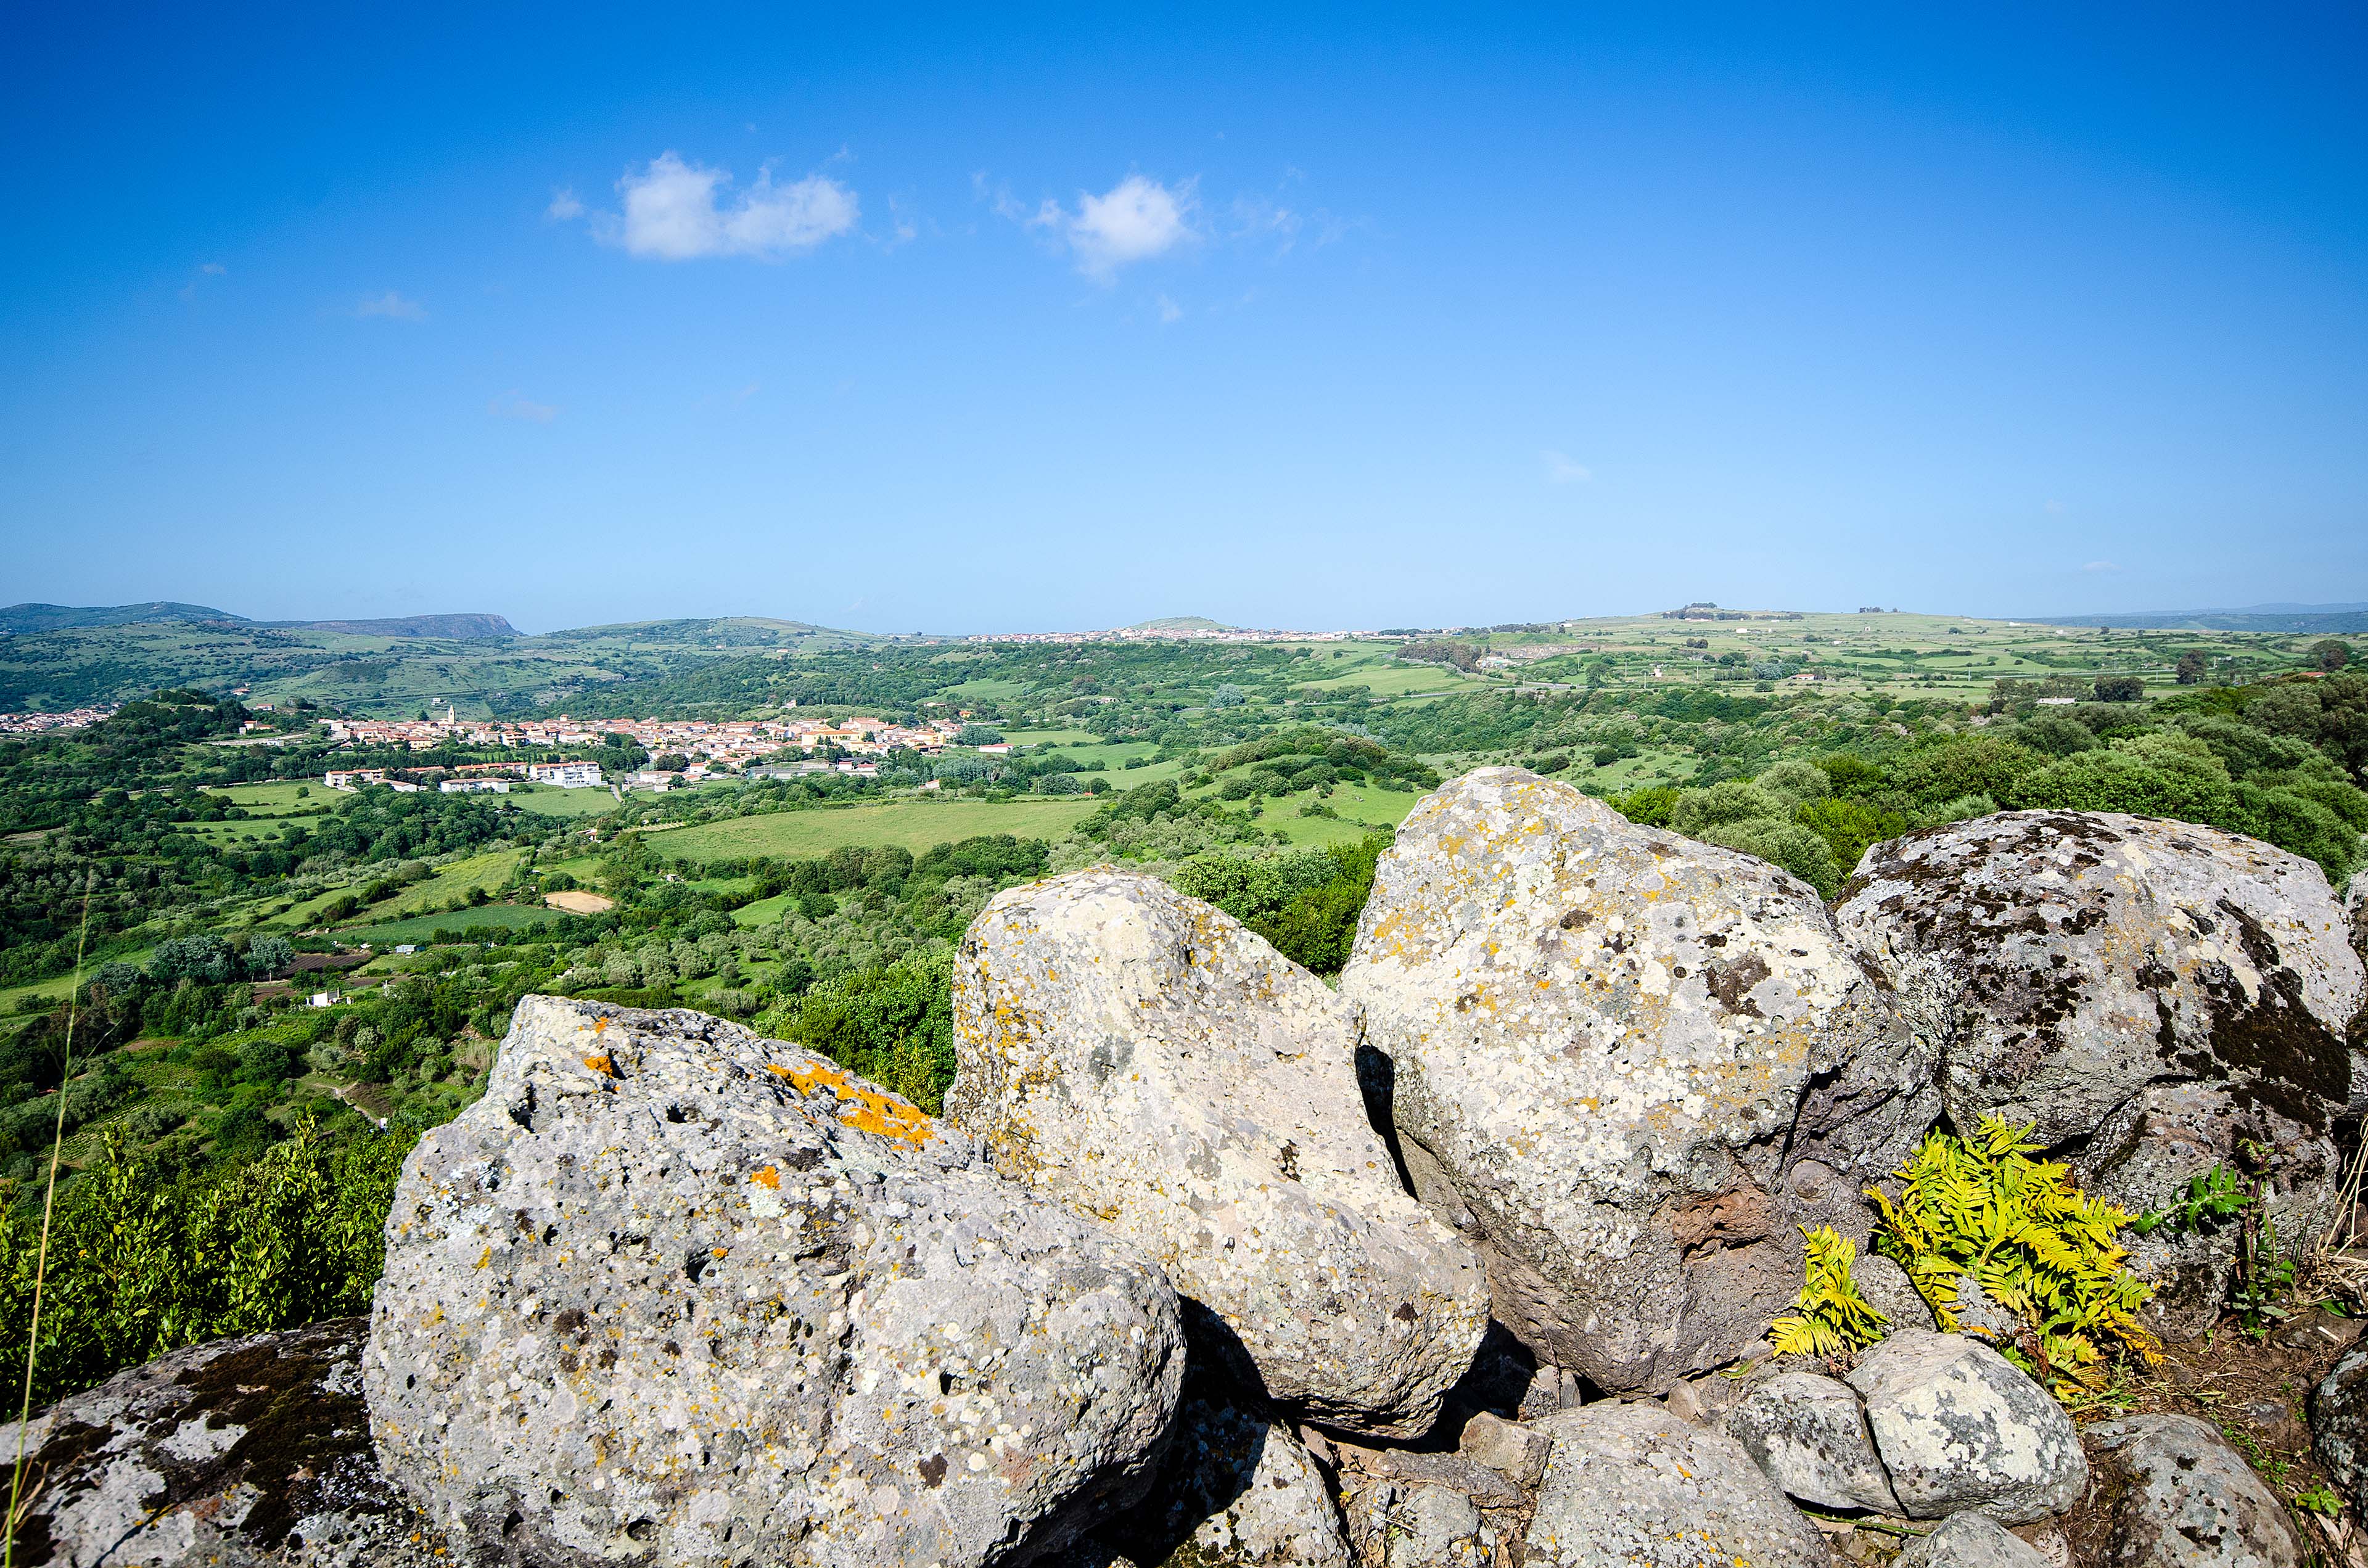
(1143, 1058)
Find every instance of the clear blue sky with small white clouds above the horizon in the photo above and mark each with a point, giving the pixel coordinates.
(1067, 321)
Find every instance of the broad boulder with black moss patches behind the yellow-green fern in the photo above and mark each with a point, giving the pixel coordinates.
(2066, 960)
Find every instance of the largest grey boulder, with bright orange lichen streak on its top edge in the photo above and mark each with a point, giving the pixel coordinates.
(678, 1294)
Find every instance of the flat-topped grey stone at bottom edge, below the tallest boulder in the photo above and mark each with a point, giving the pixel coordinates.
(1640, 1489)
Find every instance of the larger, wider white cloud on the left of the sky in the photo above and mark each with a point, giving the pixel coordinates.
(681, 212)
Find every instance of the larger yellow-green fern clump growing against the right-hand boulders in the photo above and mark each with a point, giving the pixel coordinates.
(2035, 1245)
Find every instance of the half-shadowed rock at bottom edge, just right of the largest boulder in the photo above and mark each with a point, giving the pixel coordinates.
(1235, 1491)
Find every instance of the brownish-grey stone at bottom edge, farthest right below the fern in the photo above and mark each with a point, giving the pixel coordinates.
(2175, 1496)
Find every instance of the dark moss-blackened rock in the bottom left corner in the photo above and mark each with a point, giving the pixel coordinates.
(226, 1455)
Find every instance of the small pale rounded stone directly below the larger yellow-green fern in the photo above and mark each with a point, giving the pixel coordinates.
(1960, 1427)
